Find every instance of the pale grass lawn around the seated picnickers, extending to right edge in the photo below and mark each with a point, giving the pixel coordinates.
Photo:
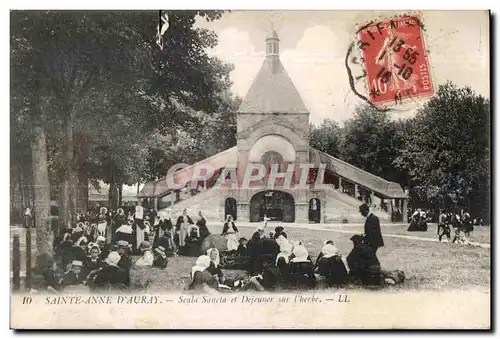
(427, 265)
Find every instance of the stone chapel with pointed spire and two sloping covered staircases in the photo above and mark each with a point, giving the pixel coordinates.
(273, 129)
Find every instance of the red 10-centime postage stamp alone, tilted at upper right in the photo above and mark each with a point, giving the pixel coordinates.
(396, 61)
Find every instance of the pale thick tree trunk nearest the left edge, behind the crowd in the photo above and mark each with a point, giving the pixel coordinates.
(44, 234)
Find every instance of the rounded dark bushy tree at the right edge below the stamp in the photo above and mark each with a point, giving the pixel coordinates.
(447, 152)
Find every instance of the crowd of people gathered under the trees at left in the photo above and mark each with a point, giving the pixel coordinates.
(96, 251)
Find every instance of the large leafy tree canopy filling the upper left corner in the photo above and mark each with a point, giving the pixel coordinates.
(95, 82)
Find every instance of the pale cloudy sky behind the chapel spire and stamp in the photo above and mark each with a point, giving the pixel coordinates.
(313, 46)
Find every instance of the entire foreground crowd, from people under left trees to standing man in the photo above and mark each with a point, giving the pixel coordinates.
(97, 253)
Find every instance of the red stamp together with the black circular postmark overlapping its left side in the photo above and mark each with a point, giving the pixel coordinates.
(387, 64)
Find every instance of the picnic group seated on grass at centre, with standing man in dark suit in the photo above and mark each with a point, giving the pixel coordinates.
(274, 262)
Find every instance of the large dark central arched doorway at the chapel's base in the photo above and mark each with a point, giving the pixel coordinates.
(277, 205)
